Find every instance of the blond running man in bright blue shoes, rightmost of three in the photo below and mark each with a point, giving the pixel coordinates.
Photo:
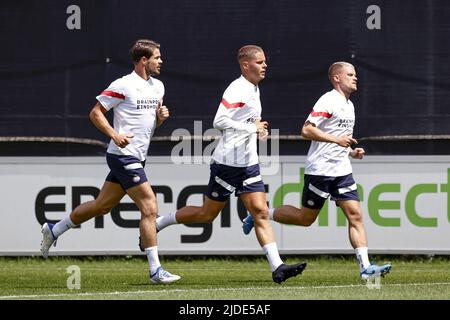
(328, 171)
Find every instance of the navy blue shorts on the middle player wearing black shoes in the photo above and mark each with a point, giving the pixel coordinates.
(224, 180)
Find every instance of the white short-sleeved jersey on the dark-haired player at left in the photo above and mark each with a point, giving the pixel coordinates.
(134, 101)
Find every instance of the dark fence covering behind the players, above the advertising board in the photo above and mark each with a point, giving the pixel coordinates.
(50, 74)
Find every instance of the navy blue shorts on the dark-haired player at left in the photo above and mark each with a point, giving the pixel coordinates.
(126, 170)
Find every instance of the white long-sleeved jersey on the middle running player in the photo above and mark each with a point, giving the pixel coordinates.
(239, 109)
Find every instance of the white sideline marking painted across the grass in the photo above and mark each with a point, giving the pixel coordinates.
(111, 293)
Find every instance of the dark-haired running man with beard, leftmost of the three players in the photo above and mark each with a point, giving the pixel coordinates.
(136, 100)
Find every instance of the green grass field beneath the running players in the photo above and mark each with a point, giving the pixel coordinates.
(216, 278)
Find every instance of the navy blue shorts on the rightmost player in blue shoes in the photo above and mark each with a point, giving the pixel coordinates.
(318, 188)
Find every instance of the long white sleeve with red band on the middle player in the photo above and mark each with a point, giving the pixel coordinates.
(231, 102)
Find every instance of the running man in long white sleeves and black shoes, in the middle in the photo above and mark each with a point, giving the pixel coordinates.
(235, 167)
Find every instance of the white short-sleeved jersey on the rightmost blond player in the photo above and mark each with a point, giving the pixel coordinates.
(333, 114)
